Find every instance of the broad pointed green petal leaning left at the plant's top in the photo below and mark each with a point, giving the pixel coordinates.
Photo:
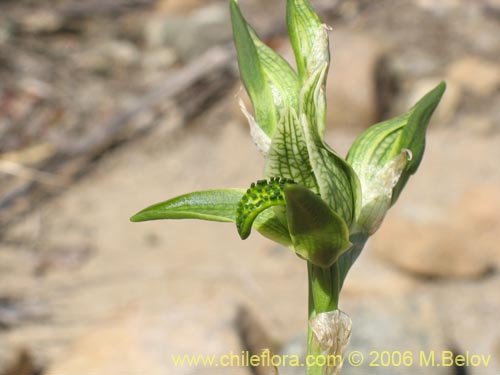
(271, 83)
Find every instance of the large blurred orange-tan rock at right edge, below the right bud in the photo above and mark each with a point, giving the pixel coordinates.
(462, 244)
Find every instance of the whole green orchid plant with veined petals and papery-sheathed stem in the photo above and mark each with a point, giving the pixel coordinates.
(311, 200)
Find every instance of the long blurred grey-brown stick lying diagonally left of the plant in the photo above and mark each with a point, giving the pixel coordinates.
(214, 62)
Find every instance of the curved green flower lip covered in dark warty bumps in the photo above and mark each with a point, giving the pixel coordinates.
(258, 198)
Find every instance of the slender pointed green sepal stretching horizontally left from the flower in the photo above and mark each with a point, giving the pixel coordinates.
(213, 205)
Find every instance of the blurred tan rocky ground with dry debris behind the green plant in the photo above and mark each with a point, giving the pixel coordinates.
(108, 106)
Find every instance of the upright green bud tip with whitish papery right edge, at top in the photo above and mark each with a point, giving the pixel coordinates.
(304, 27)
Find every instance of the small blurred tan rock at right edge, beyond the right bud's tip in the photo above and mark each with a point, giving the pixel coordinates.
(479, 76)
